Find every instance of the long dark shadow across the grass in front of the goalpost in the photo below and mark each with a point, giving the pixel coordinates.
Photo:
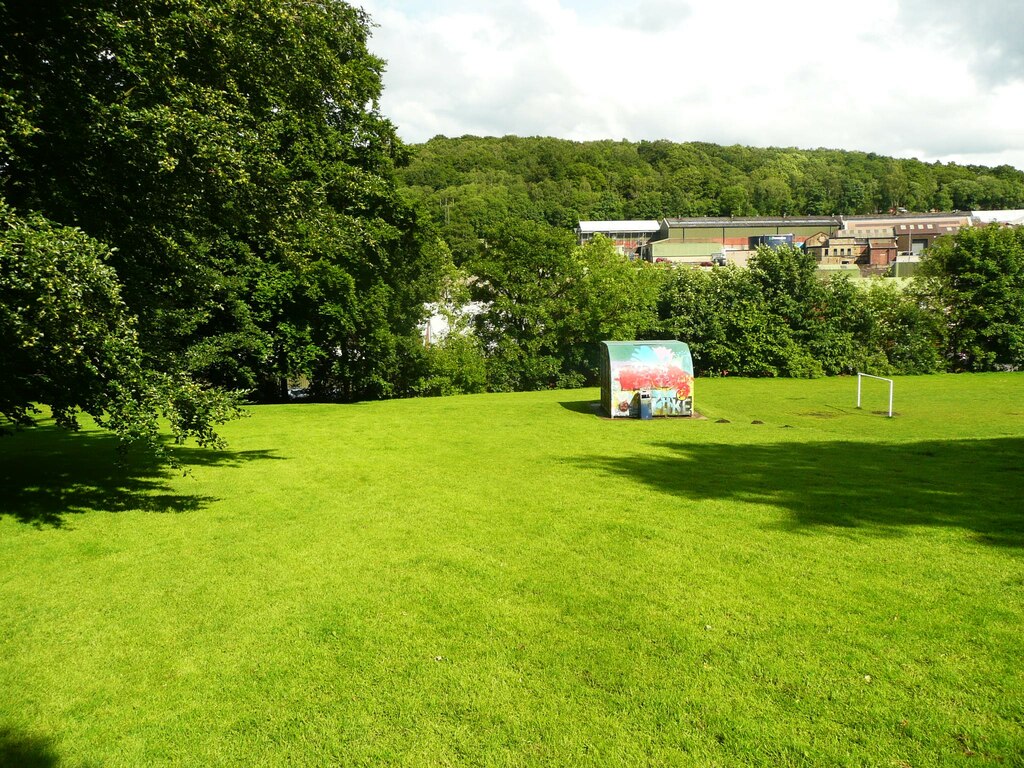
(882, 489)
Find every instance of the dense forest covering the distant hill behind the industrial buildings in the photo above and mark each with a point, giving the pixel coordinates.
(472, 185)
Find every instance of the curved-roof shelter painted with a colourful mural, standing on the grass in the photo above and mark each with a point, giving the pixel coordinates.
(665, 369)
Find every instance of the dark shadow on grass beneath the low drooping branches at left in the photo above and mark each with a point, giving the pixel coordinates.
(48, 474)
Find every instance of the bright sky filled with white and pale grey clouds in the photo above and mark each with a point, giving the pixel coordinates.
(937, 80)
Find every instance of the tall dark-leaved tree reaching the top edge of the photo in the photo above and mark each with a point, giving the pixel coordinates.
(233, 154)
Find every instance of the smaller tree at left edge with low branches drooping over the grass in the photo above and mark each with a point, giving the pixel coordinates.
(68, 342)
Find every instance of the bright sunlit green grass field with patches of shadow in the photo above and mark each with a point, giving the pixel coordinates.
(510, 580)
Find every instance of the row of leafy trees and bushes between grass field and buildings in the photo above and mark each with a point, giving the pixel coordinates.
(544, 305)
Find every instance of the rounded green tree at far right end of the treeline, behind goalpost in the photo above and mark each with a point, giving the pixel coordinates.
(976, 281)
